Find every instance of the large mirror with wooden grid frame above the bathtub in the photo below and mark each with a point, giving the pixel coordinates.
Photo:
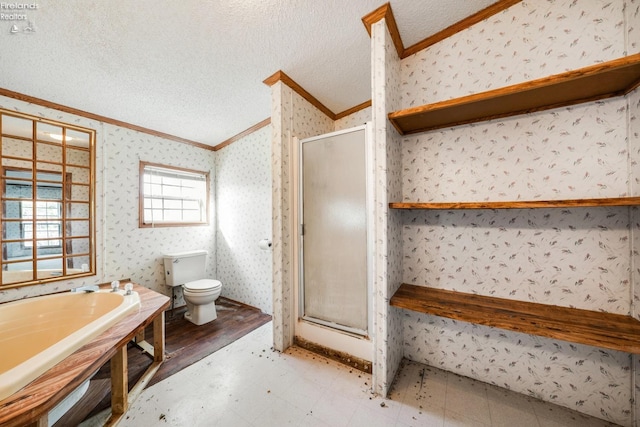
(47, 182)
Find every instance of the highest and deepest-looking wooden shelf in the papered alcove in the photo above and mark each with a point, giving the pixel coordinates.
(609, 79)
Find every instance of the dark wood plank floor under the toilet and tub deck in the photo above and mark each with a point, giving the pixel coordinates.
(185, 344)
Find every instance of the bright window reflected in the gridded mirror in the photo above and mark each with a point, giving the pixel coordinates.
(47, 229)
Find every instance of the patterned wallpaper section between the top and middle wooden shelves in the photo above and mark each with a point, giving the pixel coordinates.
(576, 152)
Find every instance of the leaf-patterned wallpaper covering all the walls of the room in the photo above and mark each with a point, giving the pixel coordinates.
(578, 257)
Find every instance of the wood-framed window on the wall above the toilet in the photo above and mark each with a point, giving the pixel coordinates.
(173, 196)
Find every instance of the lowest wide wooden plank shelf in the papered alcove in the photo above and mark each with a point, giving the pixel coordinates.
(605, 330)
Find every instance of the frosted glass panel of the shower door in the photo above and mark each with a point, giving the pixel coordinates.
(334, 274)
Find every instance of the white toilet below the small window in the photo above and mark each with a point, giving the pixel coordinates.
(188, 269)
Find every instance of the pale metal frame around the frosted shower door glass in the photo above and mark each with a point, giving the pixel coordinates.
(369, 208)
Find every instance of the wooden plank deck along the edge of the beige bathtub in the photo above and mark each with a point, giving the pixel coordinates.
(40, 396)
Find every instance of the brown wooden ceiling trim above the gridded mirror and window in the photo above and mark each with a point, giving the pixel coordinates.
(48, 104)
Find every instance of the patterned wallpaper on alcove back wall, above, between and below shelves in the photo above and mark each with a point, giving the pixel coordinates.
(573, 257)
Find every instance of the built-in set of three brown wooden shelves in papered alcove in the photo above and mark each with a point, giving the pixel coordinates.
(606, 330)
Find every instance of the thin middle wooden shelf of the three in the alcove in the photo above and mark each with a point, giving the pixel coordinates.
(527, 204)
